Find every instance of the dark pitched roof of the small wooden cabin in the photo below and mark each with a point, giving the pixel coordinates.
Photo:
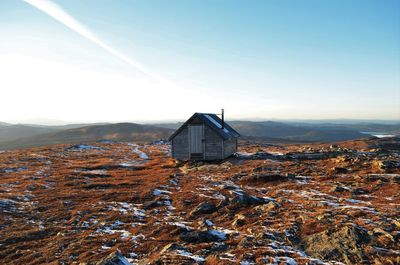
(214, 122)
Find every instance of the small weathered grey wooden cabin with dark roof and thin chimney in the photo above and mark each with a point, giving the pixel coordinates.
(204, 136)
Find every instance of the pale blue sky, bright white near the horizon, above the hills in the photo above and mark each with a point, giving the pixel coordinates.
(308, 59)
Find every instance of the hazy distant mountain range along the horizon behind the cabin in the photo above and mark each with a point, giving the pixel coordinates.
(14, 136)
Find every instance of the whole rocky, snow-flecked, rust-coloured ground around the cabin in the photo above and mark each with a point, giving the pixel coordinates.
(272, 204)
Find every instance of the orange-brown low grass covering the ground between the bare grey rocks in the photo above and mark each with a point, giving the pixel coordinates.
(68, 198)
